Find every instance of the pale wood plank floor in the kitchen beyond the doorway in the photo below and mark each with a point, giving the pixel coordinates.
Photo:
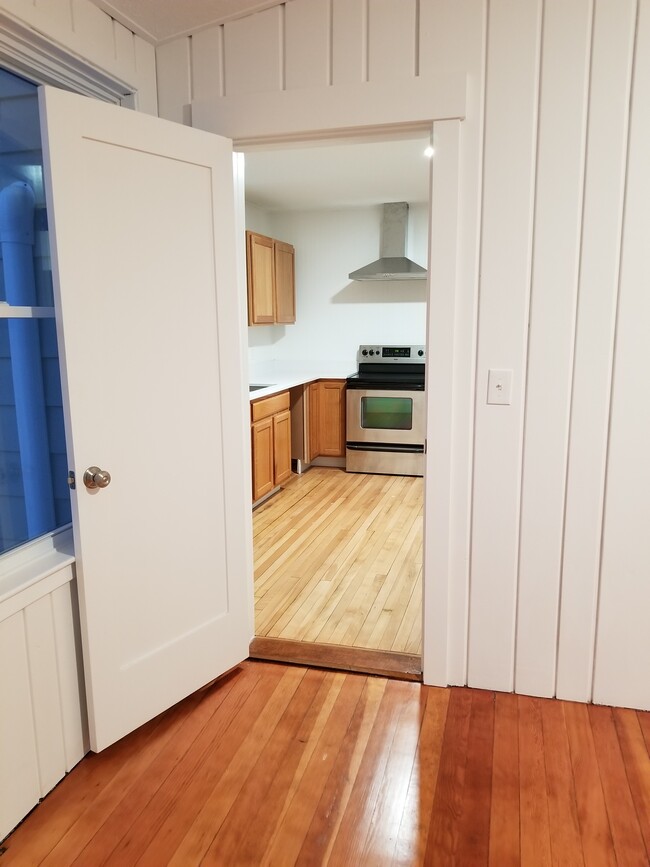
(338, 560)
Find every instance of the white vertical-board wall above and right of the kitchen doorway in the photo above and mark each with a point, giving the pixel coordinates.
(547, 571)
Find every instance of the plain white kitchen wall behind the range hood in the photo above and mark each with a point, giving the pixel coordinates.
(334, 314)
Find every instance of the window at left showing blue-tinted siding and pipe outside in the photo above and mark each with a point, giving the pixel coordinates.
(34, 497)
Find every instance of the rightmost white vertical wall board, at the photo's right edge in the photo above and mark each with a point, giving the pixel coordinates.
(623, 638)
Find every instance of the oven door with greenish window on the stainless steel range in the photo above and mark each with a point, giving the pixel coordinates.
(381, 416)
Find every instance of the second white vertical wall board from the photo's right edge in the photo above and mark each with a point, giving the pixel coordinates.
(610, 75)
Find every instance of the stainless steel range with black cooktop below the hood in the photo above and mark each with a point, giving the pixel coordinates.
(386, 411)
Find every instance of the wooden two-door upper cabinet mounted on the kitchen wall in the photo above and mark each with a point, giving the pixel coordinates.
(271, 280)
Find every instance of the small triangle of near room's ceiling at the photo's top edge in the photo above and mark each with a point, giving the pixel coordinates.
(160, 20)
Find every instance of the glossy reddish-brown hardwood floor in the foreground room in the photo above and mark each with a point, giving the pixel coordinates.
(277, 765)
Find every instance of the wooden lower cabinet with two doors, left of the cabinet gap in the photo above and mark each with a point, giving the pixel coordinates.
(270, 443)
